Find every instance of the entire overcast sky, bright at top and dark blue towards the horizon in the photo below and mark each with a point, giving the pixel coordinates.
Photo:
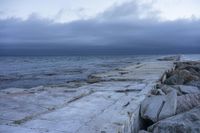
(62, 27)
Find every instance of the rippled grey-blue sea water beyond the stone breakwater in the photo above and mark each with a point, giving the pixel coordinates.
(27, 72)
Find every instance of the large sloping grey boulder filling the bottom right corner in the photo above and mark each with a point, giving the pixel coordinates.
(188, 122)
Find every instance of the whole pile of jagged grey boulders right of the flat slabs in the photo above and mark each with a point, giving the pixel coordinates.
(174, 105)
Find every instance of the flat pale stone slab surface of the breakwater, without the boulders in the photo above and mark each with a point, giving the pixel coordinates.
(109, 105)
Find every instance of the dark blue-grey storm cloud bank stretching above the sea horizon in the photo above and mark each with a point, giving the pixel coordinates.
(119, 30)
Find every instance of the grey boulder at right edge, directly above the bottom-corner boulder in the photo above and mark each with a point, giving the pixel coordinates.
(187, 102)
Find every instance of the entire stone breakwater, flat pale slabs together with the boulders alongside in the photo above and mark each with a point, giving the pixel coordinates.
(153, 96)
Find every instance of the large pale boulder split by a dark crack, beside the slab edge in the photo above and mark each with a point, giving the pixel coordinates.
(159, 107)
